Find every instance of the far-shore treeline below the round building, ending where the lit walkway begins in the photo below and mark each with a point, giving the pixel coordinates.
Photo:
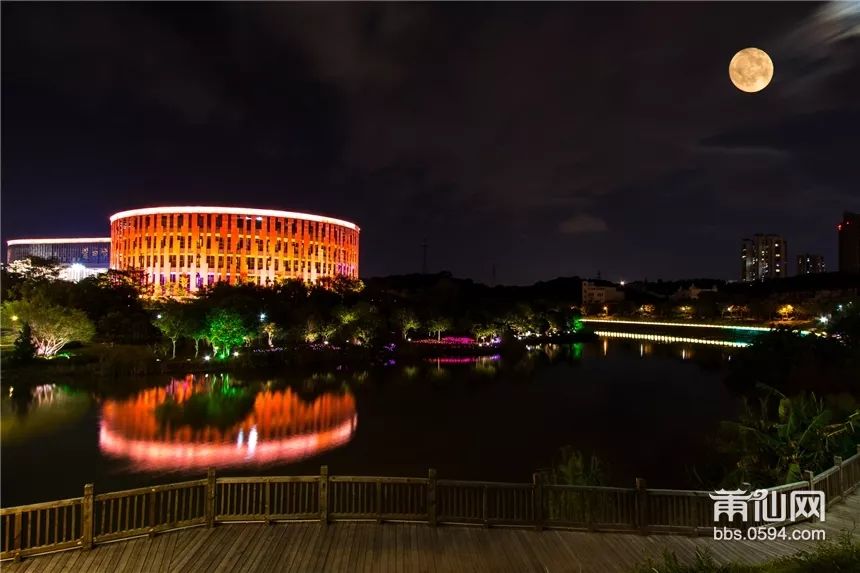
(110, 309)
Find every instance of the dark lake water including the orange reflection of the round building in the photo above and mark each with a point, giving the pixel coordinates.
(645, 409)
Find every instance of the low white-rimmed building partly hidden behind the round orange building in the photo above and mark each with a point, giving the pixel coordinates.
(77, 257)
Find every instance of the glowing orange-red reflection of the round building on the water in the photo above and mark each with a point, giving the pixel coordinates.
(281, 427)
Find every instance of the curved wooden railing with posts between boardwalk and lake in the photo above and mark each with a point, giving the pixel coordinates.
(84, 521)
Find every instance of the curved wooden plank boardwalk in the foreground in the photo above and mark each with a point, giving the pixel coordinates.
(412, 548)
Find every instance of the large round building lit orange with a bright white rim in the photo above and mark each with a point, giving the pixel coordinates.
(187, 248)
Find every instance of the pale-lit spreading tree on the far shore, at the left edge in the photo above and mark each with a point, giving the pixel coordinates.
(52, 326)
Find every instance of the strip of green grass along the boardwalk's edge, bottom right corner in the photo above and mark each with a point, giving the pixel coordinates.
(841, 556)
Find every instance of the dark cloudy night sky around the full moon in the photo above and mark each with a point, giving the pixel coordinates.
(548, 140)
